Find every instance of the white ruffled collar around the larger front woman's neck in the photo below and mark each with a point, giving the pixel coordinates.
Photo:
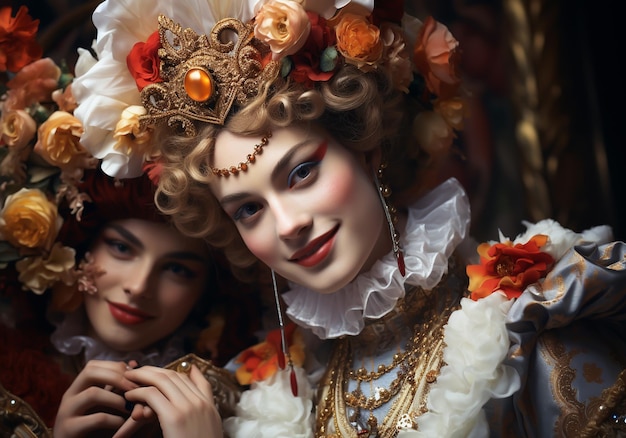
(436, 225)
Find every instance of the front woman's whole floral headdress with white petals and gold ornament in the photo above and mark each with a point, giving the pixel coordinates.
(200, 62)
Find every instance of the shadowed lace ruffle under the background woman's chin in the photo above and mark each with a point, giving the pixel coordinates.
(69, 338)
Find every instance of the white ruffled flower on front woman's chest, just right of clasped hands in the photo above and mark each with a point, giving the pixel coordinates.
(269, 409)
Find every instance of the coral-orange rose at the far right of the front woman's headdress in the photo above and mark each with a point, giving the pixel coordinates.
(436, 58)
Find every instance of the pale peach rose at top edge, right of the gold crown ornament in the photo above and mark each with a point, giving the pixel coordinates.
(283, 25)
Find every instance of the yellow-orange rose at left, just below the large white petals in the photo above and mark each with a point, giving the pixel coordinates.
(58, 139)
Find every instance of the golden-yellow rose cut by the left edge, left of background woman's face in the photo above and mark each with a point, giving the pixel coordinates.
(28, 219)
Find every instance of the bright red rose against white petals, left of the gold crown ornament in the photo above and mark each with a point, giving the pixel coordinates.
(144, 63)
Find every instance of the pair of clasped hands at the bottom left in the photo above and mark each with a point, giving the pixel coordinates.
(121, 399)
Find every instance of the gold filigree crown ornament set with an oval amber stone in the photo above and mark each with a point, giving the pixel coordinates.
(205, 75)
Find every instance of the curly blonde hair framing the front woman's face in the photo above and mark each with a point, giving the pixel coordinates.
(360, 110)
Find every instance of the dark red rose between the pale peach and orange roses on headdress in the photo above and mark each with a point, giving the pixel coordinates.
(306, 61)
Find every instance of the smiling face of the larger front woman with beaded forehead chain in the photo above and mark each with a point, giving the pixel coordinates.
(307, 207)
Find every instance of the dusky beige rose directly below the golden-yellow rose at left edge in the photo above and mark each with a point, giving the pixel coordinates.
(39, 273)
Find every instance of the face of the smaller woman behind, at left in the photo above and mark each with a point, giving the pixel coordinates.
(153, 277)
